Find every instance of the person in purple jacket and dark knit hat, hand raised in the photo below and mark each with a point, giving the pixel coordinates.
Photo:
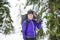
(32, 25)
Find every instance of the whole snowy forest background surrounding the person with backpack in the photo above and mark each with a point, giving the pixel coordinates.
(11, 12)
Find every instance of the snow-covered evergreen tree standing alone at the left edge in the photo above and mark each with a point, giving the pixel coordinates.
(6, 26)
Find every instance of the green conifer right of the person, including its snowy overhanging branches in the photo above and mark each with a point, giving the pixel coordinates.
(53, 20)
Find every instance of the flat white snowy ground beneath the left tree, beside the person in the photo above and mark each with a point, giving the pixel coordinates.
(11, 37)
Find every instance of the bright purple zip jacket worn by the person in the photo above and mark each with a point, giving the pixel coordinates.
(31, 30)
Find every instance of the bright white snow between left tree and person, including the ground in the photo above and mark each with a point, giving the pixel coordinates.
(14, 12)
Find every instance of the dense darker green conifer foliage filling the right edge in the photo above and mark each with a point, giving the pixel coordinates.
(54, 21)
